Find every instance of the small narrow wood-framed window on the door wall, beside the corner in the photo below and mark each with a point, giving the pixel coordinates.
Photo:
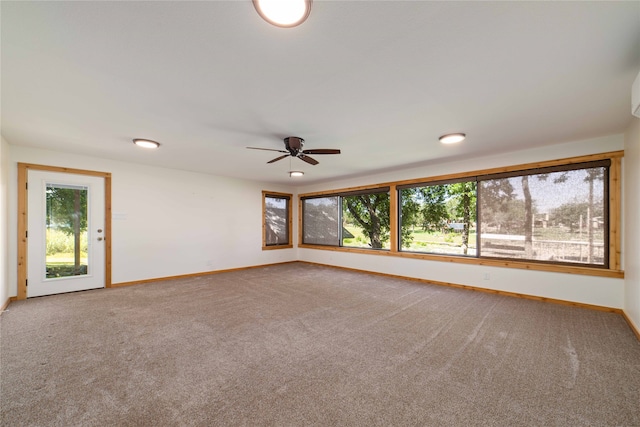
(276, 220)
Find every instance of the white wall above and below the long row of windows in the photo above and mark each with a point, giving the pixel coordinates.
(600, 291)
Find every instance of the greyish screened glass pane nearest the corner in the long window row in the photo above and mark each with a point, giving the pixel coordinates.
(320, 221)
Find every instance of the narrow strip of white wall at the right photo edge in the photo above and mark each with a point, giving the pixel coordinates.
(632, 220)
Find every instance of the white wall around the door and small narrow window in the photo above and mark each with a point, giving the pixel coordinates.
(166, 222)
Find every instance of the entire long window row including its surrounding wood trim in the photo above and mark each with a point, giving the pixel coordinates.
(557, 214)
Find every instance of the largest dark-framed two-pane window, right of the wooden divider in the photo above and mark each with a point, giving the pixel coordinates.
(555, 214)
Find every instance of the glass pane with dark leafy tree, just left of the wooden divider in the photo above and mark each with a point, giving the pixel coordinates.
(366, 220)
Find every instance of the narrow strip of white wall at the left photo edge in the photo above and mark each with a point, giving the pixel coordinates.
(4, 222)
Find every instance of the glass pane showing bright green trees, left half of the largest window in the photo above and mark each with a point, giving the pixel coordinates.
(439, 218)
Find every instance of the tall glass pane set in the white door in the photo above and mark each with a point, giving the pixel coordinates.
(66, 231)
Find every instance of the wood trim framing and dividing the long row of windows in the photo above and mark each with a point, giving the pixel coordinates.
(615, 218)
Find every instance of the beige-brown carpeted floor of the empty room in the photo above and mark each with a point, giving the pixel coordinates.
(300, 345)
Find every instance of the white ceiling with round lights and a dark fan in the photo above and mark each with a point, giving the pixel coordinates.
(380, 80)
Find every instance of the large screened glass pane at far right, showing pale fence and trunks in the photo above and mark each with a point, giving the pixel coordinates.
(557, 217)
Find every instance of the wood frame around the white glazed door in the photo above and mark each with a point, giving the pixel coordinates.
(23, 169)
